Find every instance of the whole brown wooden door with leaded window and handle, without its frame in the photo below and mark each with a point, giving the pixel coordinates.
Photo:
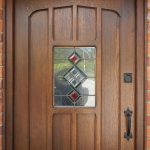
(50, 38)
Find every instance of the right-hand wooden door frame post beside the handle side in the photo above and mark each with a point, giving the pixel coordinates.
(141, 32)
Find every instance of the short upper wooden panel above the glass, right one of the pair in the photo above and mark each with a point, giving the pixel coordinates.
(86, 23)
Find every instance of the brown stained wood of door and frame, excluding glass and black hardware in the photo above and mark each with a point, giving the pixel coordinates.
(33, 28)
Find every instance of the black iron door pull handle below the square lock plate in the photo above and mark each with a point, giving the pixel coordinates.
(128, 115)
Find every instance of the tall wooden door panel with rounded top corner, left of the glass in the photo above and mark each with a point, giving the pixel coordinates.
(38, 47)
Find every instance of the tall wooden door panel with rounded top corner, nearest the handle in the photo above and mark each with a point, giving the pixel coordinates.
(110, 81)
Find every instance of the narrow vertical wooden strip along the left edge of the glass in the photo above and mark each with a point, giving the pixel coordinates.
(50, 82)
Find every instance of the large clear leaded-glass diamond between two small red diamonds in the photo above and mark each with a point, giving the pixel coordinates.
(75, 76)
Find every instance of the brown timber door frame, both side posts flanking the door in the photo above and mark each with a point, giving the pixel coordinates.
(140, 73)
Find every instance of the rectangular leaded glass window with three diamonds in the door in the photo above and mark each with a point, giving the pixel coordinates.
(74, 72)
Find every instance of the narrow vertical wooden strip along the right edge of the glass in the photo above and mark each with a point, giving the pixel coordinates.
(98, 79)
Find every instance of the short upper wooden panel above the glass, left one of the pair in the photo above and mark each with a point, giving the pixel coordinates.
(63, 23)
